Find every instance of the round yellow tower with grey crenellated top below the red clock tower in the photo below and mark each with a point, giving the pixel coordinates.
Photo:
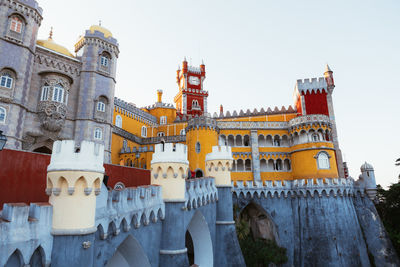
(201, 135)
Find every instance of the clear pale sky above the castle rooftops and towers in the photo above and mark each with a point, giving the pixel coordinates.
(254, 52)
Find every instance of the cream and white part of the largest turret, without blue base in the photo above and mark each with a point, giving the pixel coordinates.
(74, 178)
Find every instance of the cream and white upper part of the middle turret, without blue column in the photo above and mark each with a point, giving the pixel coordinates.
(169, 168)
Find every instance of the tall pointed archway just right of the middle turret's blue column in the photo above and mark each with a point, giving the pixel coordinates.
(198, 241)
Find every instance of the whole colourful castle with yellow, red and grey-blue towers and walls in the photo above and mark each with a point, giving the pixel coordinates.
(285, 163)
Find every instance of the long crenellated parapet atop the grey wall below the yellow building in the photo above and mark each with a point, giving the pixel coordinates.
(298, 188)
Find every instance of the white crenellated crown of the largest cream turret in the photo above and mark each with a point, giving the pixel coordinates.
(67, 156)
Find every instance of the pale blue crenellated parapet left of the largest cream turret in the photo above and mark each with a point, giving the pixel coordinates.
(25, 228)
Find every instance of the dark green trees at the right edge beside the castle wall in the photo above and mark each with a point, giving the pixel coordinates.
(388, 207)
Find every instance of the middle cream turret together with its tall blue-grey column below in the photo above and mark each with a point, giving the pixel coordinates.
(169, 168)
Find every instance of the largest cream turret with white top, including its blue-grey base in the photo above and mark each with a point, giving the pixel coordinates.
(74, 179)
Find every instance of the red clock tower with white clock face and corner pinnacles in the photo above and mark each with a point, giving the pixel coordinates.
(191, 99)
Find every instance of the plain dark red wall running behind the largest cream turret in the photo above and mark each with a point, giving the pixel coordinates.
(23, 176)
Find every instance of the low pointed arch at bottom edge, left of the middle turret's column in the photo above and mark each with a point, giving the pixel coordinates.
(129, 254)
